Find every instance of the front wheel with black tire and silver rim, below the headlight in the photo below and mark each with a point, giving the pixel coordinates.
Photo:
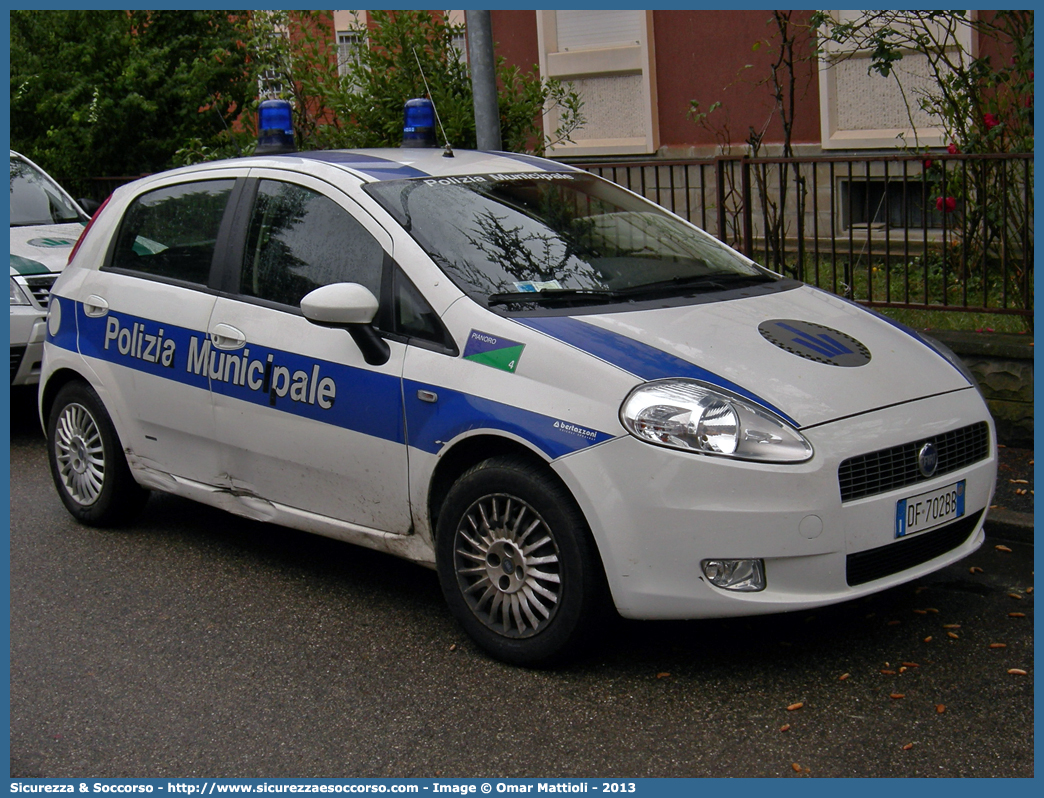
(517, 564)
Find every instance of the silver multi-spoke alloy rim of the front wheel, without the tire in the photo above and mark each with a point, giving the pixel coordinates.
(508, 567)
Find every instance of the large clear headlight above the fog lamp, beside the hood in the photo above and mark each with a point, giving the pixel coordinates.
(684, 414)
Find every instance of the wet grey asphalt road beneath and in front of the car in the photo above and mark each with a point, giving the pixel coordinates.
(199, 645)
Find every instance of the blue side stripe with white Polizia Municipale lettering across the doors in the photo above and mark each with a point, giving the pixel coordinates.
(370, 403)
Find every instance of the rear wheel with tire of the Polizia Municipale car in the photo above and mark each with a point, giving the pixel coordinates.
(88, 464)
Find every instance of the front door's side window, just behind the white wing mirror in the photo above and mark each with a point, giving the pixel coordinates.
(300, 241)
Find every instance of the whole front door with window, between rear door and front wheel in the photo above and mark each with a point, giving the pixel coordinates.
(302, 419)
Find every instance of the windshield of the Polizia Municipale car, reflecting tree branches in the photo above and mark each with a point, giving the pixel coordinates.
(558, 237)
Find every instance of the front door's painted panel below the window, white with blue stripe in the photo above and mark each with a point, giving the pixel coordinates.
(309, 424)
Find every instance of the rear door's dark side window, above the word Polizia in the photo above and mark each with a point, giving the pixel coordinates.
(173, 232)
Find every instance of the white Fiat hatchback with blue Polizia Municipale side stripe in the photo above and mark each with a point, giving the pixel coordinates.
(551, 390)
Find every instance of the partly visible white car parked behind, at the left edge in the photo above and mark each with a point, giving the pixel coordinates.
(45, 224)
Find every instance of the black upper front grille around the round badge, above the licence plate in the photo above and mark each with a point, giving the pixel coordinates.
(889, 470)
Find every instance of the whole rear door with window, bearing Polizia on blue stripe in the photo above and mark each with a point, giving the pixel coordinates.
(144, 319)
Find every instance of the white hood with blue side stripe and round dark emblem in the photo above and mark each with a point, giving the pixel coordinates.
(804, 354)
